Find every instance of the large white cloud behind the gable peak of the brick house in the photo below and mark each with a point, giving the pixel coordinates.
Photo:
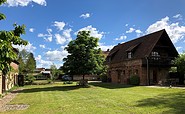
(174, 30)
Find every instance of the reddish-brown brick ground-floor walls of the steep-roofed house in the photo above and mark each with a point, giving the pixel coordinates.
(127, 68)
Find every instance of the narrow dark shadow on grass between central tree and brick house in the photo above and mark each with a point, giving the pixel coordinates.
(109, 85)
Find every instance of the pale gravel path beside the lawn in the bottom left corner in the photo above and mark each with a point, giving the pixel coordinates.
(4, 106)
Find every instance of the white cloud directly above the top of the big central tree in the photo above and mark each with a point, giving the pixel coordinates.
(94, 32)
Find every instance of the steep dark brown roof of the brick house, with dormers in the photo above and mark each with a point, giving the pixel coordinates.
(141, 47)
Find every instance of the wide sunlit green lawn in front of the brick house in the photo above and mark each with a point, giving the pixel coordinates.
(99, 98)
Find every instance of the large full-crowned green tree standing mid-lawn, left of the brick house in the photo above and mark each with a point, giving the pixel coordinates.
(84, 57)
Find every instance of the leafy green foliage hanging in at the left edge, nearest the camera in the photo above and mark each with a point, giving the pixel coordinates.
(7, 39)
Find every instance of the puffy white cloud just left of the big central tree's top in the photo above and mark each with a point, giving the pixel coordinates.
(65, 37)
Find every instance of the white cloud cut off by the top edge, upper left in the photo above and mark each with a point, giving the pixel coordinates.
(25, 2)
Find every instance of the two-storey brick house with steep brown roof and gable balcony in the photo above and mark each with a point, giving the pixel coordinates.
(150, 57)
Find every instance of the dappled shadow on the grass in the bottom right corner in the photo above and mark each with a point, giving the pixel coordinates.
(174, 102)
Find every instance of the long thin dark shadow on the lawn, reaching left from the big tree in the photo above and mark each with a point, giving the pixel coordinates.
(53, 88)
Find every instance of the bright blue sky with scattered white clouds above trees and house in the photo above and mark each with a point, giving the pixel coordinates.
(52, 24)
